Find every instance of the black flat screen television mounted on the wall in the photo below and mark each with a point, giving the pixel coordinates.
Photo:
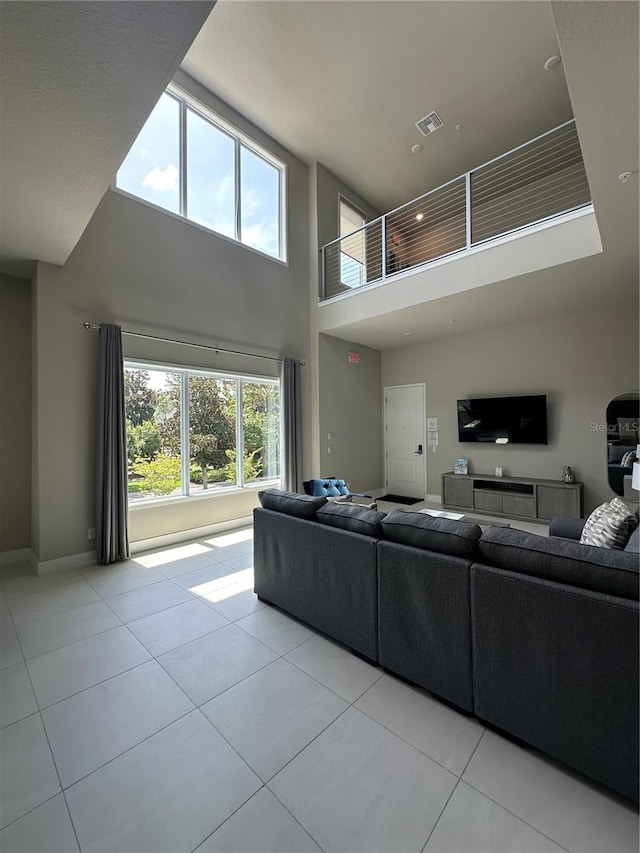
(503, 420)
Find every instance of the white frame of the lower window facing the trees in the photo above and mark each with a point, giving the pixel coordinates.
(184, 371)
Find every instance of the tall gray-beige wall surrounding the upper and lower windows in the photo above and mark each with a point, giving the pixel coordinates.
(153, 273)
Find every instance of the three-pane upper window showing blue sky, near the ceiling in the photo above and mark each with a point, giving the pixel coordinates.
(188, 161)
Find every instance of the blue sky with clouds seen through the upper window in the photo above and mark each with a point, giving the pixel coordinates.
(150, 171)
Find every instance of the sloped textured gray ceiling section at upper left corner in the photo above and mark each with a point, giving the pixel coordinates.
(78, 82)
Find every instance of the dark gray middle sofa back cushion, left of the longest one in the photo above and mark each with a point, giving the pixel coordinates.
(442, 535)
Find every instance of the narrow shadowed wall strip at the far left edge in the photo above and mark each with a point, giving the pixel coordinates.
(15, 413)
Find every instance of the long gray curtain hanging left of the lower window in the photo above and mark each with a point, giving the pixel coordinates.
(112, 523)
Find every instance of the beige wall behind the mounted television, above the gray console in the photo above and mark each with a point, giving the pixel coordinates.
(580, 361)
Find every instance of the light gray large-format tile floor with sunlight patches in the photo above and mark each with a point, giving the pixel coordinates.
(157, 705)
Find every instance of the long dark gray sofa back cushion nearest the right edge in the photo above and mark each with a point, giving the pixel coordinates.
(560, 560)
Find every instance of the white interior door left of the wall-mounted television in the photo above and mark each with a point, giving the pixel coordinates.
(405, 426)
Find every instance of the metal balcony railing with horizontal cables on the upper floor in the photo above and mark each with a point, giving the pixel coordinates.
(537, 181)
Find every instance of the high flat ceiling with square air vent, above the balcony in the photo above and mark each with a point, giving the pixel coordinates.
(344, 83)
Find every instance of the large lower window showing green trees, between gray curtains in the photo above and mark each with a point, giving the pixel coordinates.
(187, 429)
